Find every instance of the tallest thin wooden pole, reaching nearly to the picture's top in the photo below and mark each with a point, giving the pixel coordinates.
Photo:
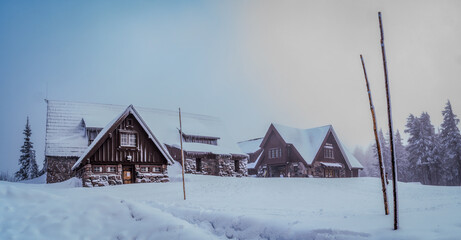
(391, 132)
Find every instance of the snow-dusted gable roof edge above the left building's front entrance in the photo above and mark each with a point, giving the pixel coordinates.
(99, 140)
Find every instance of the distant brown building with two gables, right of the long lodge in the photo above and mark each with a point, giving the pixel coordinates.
(291, 152)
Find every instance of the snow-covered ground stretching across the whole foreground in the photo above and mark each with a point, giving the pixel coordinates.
(224, 207)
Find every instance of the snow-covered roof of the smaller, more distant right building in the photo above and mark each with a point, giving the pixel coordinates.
(308, 142)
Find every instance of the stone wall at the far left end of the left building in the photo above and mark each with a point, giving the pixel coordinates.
(59, 168)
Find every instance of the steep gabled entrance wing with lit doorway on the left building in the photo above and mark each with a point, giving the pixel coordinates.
(125, 151)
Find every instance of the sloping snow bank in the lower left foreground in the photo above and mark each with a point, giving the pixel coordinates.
(38, 214)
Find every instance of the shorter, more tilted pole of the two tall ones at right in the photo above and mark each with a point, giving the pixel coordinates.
(378, 145)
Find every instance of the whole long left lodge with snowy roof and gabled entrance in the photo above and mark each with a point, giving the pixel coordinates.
(83, 137)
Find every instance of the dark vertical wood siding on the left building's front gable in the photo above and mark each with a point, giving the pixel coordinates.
(111, 151)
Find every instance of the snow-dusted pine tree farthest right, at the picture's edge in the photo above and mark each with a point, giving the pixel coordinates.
(450, 140)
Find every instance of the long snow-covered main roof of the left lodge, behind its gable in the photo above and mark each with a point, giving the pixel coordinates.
(67, 122)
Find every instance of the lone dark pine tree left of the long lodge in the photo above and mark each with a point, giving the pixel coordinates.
(28, 166)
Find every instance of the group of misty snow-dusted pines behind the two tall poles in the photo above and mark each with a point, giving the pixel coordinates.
(429, 157)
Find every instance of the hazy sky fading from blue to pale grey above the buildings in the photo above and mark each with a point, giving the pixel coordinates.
(248, 62)
